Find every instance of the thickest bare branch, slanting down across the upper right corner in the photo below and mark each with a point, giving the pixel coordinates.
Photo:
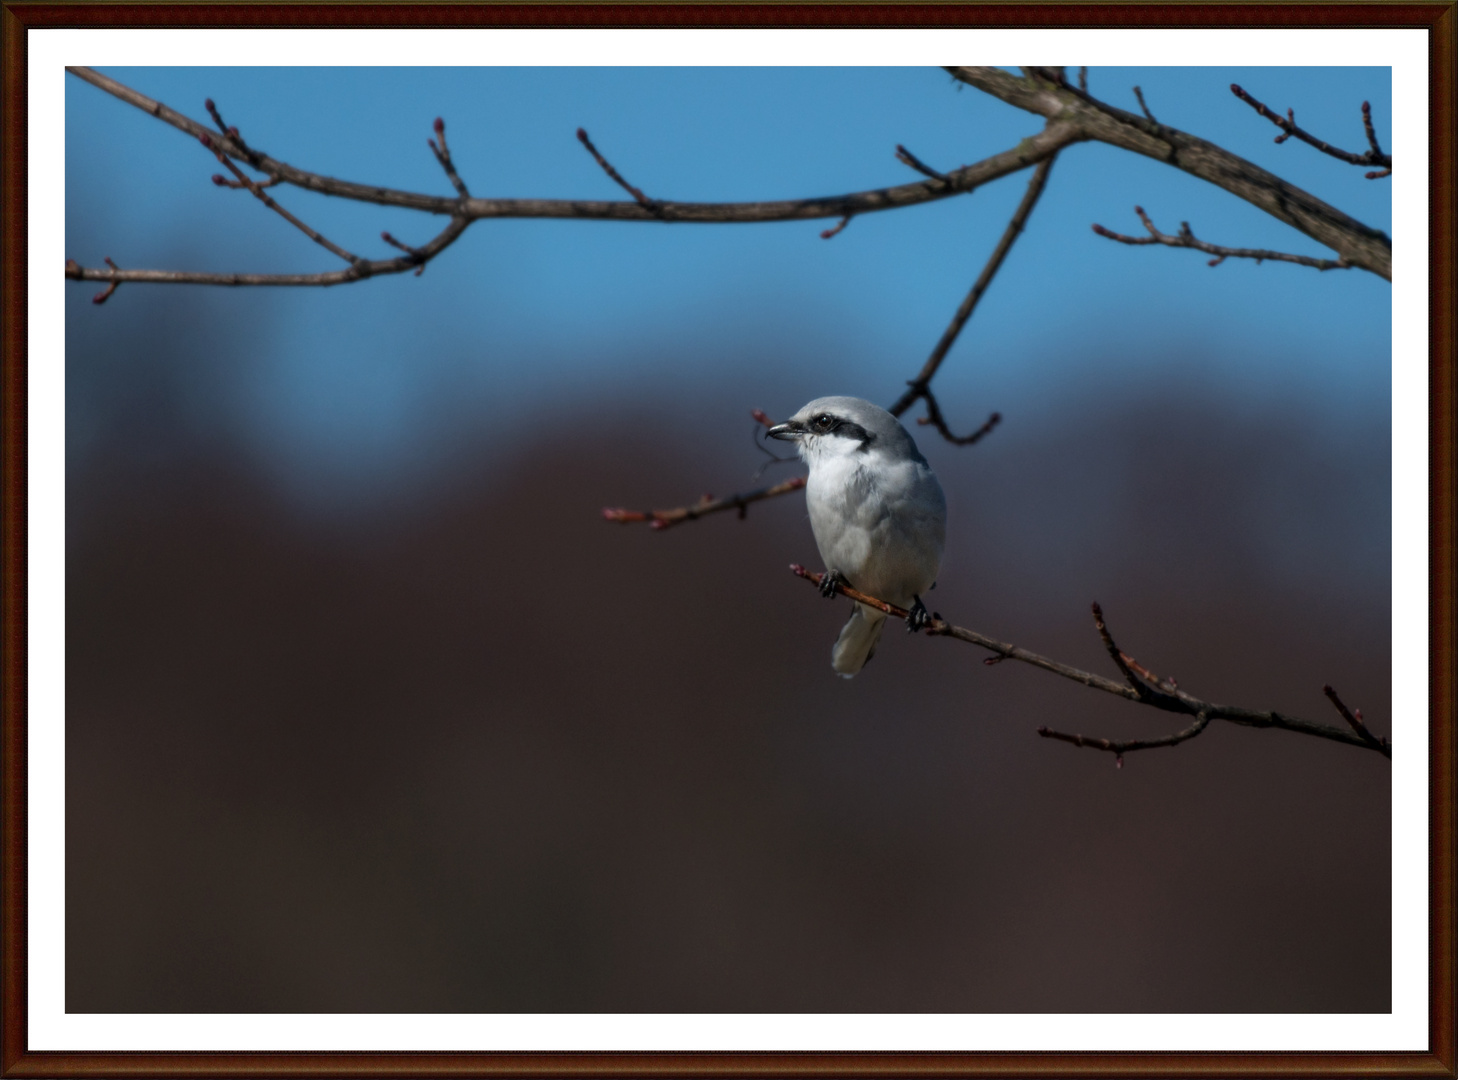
(1355, 243)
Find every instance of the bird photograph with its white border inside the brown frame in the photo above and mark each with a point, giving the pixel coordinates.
(682, 540)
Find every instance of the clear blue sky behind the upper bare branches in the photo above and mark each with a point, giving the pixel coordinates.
(521, 317)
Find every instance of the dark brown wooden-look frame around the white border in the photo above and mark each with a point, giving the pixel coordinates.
(18, 17)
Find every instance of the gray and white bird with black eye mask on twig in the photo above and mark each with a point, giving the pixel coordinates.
(877, 511)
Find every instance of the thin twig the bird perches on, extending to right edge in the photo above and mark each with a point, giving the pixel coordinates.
(1139, 684)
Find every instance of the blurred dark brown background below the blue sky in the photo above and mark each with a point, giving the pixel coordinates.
(470, 748)
